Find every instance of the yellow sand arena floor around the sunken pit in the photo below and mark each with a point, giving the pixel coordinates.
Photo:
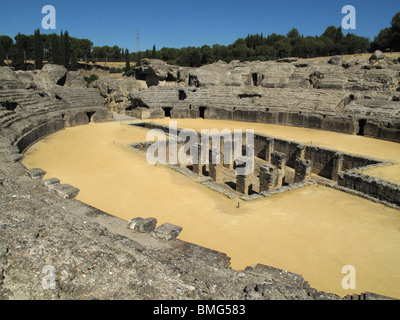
(313, 231)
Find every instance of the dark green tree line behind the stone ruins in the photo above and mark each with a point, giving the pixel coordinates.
(67, 51)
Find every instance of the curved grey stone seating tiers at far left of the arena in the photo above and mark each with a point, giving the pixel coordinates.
(36, 104)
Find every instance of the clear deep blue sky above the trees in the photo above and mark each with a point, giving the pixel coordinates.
(181, 23)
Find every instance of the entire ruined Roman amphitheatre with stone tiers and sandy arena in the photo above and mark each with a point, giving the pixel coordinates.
(78, 194)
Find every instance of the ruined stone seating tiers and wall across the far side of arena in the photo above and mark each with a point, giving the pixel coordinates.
(352, 95)
